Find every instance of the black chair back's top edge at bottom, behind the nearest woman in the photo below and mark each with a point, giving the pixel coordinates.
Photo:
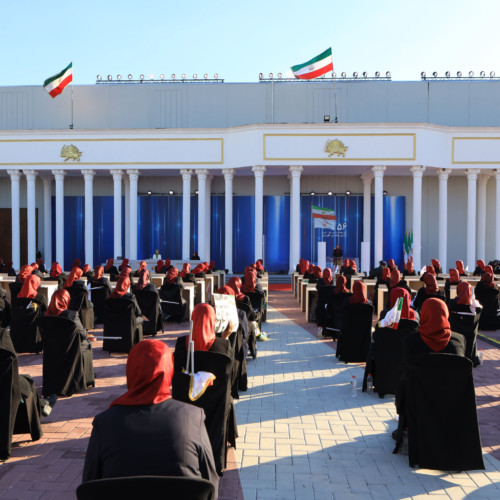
(132, 488)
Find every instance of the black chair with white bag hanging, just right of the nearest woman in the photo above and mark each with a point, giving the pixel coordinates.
(216, 401)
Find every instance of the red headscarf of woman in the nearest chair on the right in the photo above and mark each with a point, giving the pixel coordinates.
(435, 328)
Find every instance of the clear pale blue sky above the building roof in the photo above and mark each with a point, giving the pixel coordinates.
(238, 40)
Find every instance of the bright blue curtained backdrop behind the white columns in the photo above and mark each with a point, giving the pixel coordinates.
(160, 226)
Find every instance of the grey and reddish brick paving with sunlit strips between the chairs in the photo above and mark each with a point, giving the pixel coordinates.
(302, 435)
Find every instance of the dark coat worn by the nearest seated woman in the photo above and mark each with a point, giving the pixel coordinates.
(165, 439)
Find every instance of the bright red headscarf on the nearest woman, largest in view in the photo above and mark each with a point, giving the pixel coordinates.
(150, 368)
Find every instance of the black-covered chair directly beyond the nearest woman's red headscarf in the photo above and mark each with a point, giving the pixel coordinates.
(120, 321)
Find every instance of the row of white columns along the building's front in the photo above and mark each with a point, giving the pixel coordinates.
(476, 210)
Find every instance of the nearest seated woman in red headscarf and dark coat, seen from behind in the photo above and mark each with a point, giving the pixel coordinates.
(145, 431)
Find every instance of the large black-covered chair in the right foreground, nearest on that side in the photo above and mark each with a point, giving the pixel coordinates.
(440, 412)
